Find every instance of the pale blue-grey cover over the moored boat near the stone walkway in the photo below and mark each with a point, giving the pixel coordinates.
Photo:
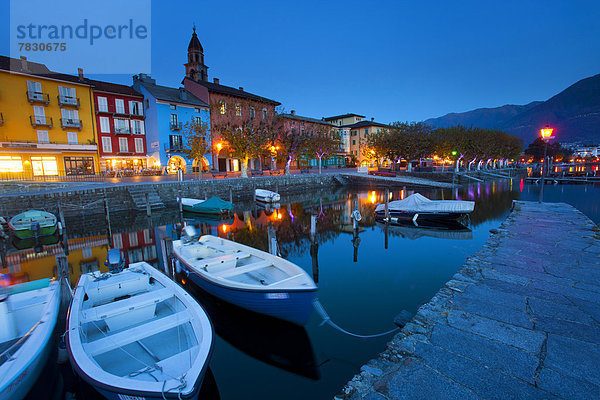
(418, 203)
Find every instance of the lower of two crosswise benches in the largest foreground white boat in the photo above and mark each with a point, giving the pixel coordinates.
(112, 342)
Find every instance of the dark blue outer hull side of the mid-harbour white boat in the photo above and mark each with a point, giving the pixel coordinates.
(292, 306)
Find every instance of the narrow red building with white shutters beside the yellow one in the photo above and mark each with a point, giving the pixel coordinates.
(121, 129)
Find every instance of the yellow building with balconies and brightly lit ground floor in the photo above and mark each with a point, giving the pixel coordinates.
(47, 122)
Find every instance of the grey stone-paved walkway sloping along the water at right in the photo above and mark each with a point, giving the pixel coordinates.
(520, 320)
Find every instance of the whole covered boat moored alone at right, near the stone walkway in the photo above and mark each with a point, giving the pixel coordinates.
(417, 207)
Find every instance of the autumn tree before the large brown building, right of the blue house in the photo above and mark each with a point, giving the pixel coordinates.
(245, 141)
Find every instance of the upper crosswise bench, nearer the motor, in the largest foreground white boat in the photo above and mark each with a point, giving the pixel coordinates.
(125, 305)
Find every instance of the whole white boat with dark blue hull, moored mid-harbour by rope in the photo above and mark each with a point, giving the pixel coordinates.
(246, 277)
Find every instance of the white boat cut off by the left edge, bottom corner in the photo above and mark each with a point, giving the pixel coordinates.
(28, 314)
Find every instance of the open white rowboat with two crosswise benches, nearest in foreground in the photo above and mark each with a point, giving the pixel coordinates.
(135, 333)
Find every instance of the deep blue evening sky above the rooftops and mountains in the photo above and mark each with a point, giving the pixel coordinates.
(392, 60)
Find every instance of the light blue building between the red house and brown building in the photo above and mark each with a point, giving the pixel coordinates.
(167, 112)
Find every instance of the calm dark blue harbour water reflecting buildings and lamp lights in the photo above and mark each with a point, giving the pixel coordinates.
(362, 282)
